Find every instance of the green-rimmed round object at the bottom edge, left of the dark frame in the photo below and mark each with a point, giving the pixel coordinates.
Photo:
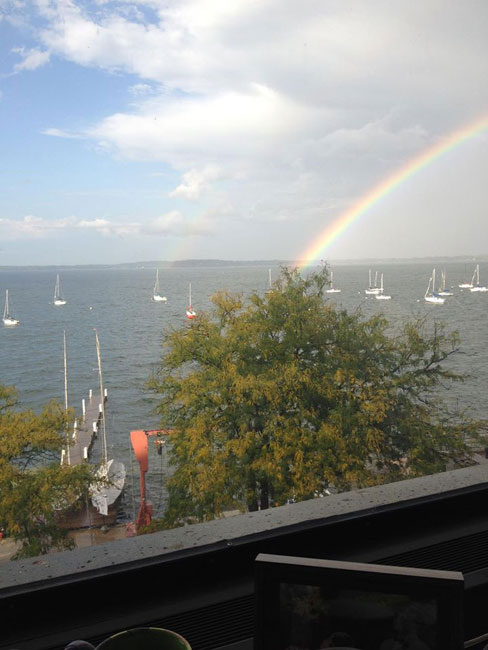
(145, 638)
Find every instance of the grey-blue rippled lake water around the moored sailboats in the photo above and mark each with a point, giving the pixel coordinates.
(130, 328)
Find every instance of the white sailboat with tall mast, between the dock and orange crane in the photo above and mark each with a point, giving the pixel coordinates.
(104, 495)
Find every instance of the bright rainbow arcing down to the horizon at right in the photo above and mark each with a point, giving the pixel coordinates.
(334, 230)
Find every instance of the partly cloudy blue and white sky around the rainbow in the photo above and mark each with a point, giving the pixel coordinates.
(240, 130)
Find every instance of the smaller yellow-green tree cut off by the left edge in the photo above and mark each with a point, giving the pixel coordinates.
(33, 483)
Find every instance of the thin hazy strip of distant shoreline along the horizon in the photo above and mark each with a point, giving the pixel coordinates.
(192, 263)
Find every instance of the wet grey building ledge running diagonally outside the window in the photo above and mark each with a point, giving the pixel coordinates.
(27, 574)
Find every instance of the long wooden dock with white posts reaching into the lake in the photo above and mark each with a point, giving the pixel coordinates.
(84, 432)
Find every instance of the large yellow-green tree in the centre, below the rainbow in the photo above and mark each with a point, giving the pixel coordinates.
(284, 395)
